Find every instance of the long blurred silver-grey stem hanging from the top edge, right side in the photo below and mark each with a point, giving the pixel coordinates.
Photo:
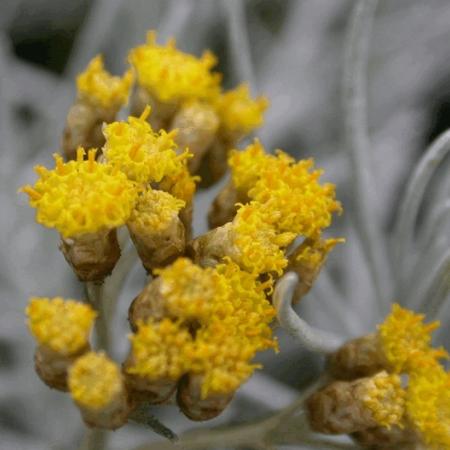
(358, 143)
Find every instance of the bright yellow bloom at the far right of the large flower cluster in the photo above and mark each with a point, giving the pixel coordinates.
(286, 187)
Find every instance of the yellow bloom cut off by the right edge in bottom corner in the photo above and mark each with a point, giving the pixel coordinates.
(428, 404)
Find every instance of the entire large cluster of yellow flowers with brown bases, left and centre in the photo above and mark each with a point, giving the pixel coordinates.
(206, 311)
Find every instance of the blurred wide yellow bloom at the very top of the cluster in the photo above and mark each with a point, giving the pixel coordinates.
(172, 75)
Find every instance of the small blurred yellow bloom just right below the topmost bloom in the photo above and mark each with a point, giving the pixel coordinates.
(238, 112)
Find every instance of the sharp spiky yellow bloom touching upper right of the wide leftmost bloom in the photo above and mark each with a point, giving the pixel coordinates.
(143, 155)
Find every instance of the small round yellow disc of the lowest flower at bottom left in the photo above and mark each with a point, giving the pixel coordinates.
(94, 381)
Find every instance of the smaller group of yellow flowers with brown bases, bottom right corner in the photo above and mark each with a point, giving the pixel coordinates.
(390, 391)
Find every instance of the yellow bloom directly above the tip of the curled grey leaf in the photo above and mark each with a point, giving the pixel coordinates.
(259, 246)
